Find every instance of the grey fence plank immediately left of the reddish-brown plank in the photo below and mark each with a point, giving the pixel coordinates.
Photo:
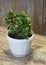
(30, 10)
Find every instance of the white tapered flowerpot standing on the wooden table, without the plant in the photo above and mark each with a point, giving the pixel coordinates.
(19, 47)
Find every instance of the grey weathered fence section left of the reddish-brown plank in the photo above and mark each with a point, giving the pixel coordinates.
(18, 6)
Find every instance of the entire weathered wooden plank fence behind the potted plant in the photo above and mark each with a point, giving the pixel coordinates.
(34, 8)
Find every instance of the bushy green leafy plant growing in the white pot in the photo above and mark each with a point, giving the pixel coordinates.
(19, 25)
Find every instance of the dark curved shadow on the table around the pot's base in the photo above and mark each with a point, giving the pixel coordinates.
(21, 59)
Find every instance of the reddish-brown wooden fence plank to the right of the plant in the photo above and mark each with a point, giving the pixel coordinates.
(38, 9)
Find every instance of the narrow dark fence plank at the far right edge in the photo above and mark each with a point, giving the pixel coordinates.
(44, 17)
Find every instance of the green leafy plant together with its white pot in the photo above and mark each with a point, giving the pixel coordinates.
(19, 33)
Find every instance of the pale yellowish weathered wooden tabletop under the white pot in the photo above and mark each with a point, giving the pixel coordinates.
(37, 57)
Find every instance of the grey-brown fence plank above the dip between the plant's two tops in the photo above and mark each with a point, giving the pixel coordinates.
(20, 5)
